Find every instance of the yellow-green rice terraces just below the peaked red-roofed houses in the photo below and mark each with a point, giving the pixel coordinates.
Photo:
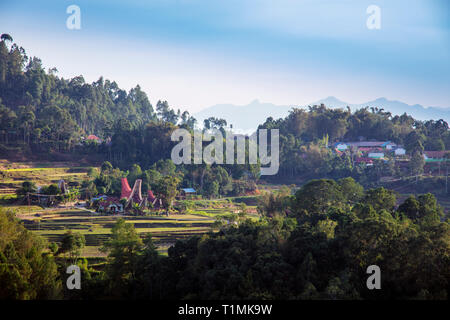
(52, 223)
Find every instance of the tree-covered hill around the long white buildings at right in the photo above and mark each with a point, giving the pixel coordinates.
(304, 136)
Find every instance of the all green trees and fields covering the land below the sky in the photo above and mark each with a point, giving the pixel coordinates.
(238, 237)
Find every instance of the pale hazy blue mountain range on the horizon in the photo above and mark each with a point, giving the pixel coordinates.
(248, 117)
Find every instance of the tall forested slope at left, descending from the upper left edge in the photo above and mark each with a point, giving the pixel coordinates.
(40, 105)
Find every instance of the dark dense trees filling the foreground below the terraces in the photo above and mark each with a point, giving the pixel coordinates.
(315, 244)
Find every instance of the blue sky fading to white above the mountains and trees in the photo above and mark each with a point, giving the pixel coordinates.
(196, 53)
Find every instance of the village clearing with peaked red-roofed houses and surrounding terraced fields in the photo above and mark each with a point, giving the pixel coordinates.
(50, 201)
